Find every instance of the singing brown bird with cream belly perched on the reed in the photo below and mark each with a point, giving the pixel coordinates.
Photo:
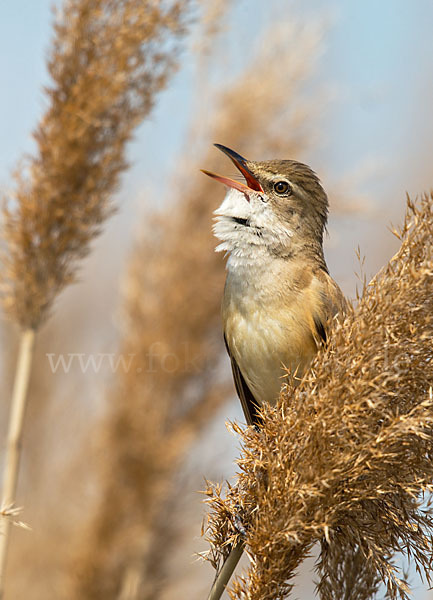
(279, 298)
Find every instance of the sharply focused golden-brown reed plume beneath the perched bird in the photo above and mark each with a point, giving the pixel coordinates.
(346, 460)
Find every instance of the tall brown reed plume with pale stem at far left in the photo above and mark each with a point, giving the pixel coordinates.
(107, 63)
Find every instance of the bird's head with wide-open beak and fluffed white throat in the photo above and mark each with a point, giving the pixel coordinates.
(281, 209)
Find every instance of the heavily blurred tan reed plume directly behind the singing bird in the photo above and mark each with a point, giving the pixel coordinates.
(172, 328)
